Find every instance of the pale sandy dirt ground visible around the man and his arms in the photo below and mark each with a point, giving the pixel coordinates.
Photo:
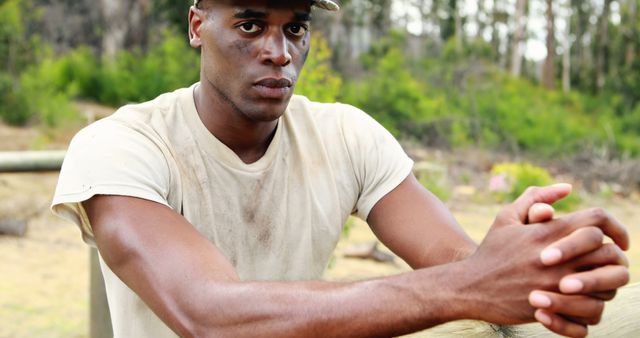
(44, 276)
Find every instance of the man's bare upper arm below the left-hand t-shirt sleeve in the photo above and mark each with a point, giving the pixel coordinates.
(157, 253)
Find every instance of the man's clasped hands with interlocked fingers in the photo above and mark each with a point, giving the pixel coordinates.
(564, 260)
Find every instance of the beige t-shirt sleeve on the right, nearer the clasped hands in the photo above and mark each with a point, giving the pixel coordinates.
(379, 162)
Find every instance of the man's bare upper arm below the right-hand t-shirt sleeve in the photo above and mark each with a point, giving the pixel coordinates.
(418, 227)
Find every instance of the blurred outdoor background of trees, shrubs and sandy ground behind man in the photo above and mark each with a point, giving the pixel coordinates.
(487, 96)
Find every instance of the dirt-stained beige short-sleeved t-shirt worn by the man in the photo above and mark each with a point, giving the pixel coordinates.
(276, 219)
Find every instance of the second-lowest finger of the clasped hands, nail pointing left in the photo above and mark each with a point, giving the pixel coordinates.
(578, 308)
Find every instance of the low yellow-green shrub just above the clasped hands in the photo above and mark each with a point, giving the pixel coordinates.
(510, 180)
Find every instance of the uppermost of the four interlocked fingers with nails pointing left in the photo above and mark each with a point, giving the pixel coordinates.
(579, 242)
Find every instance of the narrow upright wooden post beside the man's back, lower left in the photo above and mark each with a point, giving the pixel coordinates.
(99, 313)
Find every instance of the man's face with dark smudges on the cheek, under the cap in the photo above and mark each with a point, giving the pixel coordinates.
(252, 52)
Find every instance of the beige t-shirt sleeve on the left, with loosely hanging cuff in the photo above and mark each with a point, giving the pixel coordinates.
(109, 158)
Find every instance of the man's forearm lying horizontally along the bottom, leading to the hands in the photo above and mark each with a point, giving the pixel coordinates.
(377, 308)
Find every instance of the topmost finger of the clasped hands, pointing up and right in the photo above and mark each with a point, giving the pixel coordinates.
(533, 195)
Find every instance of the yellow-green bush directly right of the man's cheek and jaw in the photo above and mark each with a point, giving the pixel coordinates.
(318, 81)
